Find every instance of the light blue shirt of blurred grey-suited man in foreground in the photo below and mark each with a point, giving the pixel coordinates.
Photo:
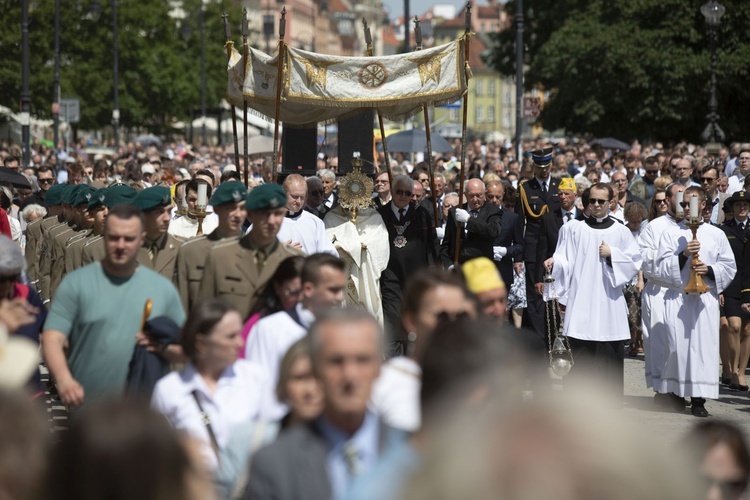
(365, 441)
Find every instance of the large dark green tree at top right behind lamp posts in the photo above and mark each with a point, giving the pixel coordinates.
(638, 68)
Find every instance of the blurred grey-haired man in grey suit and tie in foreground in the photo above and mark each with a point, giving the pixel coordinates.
(317, 460)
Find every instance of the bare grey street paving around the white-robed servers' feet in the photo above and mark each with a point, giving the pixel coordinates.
(667, 425)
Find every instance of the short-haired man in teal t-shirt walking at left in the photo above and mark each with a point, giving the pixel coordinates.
(95, 321)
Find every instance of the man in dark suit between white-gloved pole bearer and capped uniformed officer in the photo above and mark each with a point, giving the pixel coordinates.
(507, 249)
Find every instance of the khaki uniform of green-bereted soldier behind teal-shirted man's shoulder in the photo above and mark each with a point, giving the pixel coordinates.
(190, 263)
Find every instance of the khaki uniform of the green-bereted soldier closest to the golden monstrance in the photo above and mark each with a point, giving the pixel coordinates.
(235, 272)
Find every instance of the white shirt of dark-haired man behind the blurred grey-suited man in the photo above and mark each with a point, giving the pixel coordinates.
(268, 341)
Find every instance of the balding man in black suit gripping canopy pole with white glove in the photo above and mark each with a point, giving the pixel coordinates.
(477, 225)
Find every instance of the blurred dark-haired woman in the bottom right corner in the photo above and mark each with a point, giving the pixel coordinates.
(721, 452)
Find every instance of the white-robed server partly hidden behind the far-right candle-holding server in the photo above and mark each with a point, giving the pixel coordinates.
(652, 299)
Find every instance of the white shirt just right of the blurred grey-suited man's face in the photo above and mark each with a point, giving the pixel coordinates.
(395, 394)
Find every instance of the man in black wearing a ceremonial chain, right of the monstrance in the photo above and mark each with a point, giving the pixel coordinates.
(414, 246)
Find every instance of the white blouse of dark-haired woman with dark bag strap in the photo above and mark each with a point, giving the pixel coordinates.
(237, 400)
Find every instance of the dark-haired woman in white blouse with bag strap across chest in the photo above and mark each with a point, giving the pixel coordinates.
(217, 396)
